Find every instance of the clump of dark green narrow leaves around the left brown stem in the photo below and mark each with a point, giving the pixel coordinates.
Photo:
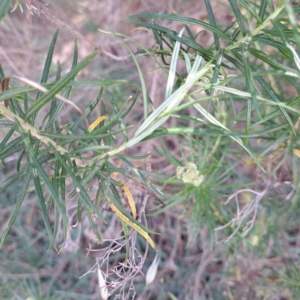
(78, 167)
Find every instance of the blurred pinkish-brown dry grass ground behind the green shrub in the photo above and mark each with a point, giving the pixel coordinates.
(24, 40)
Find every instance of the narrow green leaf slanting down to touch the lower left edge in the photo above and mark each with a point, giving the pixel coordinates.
(18, 205)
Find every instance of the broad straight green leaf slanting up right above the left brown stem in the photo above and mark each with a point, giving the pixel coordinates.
(58, 86)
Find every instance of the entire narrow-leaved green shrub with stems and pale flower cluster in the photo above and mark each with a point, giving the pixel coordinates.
(230, 107)
